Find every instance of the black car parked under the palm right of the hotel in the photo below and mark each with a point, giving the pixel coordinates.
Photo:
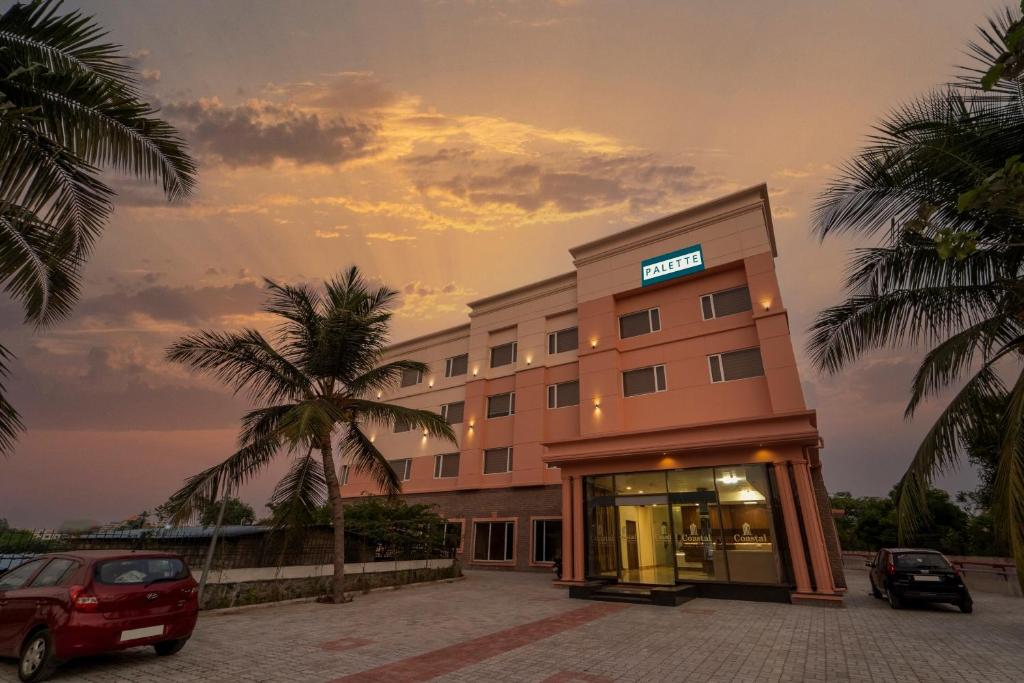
(903, 575)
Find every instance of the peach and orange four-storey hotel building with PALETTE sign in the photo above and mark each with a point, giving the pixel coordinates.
(638, 420)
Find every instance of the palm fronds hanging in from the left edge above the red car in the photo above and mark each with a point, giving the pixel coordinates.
(70, 107)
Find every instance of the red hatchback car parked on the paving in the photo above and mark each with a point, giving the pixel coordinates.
(66, 606)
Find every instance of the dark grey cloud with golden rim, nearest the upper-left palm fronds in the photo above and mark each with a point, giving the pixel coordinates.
(260, 134)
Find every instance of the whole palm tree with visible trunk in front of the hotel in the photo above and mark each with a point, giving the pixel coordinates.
(317, 381)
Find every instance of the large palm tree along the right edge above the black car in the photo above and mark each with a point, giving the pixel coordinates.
(941, 189)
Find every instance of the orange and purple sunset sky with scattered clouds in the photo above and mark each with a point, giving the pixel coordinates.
(453, 150)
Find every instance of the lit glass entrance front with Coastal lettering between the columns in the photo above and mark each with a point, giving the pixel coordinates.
(712, 524)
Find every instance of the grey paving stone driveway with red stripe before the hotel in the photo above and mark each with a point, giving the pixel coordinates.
(516, 627)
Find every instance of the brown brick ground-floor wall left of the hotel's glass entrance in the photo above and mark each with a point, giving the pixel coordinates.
(520, 503)
